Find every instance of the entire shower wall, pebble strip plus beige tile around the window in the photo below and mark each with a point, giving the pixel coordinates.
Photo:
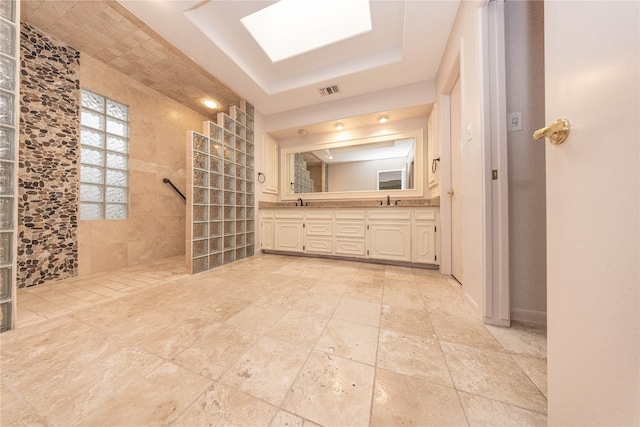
(155, 226)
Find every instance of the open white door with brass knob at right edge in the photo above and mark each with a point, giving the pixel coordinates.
(592, 79)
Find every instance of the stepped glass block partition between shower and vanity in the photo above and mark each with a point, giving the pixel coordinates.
(221, 190)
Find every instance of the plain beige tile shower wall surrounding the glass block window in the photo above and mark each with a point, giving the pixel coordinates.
(155, 226)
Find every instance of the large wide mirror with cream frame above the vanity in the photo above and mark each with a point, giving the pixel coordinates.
(360, 168)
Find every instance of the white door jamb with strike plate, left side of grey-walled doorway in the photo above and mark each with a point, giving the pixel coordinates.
(493, 100)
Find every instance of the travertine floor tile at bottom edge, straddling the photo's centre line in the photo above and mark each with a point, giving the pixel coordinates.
(332, 391)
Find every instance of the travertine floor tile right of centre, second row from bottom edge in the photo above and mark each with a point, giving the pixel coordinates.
(414, 356)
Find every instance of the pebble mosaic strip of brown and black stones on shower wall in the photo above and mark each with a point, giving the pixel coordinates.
(48, 153)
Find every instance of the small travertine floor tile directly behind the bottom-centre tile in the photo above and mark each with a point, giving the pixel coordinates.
(350, 340)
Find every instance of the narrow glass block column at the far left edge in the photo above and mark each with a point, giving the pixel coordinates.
(9, 121)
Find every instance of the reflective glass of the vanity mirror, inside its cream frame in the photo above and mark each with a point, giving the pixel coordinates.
(381, 165)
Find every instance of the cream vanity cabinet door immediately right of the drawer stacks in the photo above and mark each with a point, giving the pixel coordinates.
(391, 241)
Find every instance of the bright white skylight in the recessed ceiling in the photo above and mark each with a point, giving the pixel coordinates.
(292, 27)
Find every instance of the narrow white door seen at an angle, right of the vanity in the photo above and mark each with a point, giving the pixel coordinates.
(456, 183)
